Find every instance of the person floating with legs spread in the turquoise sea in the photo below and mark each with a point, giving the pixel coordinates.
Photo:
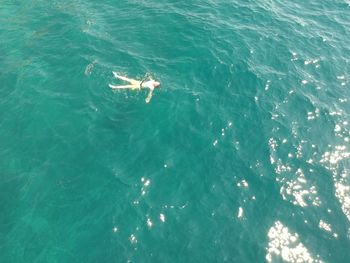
(137, 84)
